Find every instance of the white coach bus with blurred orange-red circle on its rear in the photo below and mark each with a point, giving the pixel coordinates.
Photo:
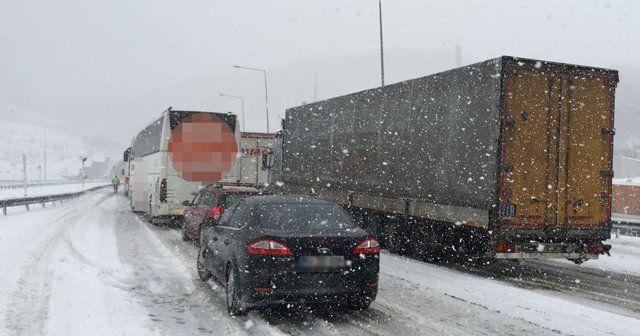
(174, 156)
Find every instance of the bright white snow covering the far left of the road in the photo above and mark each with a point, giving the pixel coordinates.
(61, 277)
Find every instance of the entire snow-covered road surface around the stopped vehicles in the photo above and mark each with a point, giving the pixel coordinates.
(91, 267)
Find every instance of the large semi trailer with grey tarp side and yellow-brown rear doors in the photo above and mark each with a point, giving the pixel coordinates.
(509, 158)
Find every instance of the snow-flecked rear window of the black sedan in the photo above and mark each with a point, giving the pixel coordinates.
(303, 217)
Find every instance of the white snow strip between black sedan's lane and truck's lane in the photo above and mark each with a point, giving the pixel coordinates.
(537, 307)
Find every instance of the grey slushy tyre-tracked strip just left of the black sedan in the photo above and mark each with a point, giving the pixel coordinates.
(176, 305)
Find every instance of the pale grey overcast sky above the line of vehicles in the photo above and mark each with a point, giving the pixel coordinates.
(110, 67)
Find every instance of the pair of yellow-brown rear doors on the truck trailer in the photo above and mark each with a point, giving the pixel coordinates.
(556, 149)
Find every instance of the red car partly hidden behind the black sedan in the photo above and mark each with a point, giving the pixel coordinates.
(208, 205)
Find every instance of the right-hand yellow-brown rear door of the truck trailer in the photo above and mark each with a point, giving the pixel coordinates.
(586, 146)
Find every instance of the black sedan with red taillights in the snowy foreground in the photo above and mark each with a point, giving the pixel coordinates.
(274, 250)
